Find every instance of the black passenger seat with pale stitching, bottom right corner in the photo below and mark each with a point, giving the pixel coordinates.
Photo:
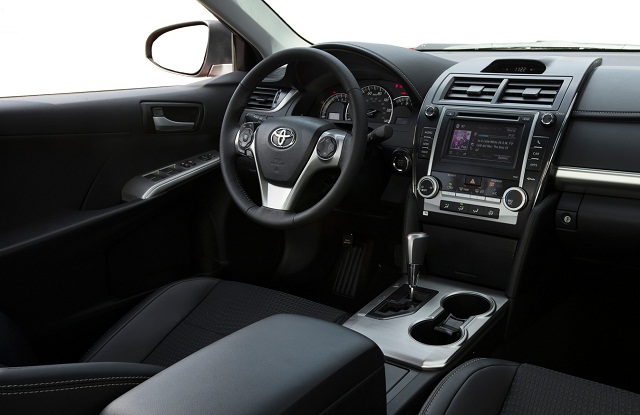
(489, 386)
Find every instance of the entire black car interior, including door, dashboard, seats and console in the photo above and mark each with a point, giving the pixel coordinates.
(343, 227)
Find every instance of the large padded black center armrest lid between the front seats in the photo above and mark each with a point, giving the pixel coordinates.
(284, 364)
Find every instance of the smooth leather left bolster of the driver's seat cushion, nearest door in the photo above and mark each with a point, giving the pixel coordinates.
(137, 334)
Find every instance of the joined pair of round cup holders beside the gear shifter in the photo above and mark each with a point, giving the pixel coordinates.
(445, 328)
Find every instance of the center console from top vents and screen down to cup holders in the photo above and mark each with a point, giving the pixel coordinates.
(485, 140)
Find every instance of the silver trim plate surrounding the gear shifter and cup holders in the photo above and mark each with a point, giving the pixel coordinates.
(393, 335)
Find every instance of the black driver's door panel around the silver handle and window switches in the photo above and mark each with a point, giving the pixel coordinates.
(73, 256)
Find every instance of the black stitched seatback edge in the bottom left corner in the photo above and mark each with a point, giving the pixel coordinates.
(70, 389)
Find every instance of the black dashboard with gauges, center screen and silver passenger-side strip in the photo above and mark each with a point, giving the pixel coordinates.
(490, 143)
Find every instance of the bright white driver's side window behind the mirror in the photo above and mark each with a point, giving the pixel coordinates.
(52, 47)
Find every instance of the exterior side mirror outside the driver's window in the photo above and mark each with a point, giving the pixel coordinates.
(200, 48)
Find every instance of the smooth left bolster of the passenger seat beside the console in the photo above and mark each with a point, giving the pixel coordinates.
(479, 386)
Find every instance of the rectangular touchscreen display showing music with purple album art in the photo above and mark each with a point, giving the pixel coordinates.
(493, 143)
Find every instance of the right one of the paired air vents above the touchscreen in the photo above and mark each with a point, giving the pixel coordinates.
(531, 91)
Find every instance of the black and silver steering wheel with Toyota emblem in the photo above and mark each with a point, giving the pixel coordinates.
(288, 150)
